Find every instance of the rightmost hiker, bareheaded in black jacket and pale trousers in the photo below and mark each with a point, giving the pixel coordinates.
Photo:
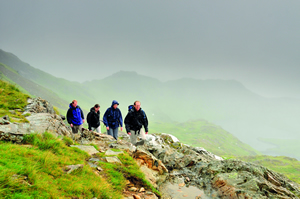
(134, 120)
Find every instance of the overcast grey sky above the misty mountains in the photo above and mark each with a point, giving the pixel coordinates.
(254, 42)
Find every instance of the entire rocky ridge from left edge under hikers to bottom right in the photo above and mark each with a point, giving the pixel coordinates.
(175, 169)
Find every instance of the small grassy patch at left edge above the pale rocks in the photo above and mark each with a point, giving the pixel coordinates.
(11, 99)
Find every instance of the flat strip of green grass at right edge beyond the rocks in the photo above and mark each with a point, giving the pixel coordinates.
(287, 166)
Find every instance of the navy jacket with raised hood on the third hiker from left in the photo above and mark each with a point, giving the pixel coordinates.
(112, 118)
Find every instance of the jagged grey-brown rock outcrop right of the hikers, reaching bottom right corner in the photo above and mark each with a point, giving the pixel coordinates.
(166, 163)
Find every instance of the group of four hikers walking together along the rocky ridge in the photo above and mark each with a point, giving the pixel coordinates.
(134, 121)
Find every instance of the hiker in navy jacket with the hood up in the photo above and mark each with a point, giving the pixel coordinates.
(112, 119)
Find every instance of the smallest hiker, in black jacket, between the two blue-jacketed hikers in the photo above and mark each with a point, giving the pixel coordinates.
(93, 119)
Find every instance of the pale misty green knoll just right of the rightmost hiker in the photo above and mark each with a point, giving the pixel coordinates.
(200, 133)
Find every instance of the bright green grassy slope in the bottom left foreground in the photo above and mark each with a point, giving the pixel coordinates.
(37, 171)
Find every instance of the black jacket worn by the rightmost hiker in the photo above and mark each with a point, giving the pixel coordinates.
(134, 120)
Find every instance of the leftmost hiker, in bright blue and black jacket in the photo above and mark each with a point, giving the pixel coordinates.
(75, 117)
